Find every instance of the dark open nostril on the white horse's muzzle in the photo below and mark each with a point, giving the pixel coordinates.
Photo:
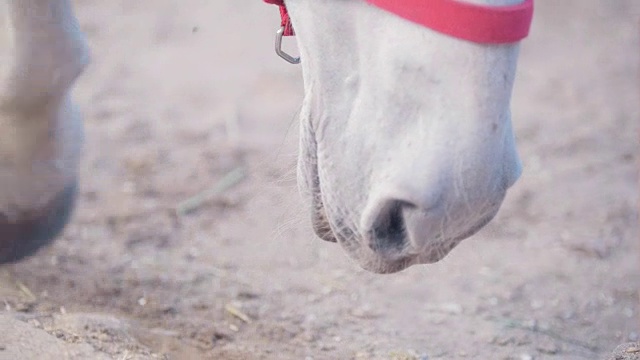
(389, 230)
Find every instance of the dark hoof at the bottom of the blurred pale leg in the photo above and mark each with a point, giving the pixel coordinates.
(37, 228)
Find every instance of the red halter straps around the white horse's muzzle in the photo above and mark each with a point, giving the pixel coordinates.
(462, 20)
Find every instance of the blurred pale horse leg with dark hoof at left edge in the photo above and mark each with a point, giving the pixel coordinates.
(42, 52)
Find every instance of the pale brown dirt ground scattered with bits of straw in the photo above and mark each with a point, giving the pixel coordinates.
(183, 93)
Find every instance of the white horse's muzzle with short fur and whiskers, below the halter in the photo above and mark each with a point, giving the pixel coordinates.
(394, 111)
